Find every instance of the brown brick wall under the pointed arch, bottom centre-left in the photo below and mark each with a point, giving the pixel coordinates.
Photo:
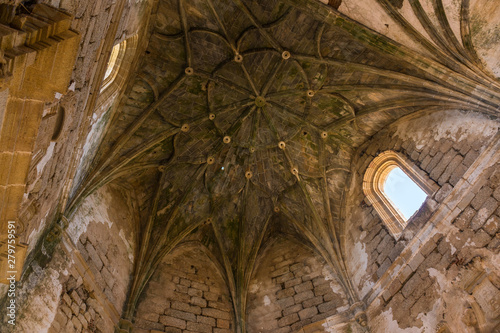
(185, 294)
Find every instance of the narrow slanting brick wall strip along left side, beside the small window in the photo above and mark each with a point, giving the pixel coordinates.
(51, 164)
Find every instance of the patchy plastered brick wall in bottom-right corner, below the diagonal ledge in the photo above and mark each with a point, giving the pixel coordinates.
(456, 280)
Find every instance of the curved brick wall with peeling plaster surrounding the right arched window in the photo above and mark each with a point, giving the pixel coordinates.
(375, 248)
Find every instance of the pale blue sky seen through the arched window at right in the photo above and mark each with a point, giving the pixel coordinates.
(403, 192)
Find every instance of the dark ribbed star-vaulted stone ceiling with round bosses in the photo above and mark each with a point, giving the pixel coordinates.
(241, 119)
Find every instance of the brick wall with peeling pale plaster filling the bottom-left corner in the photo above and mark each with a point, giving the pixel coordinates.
(83, 286)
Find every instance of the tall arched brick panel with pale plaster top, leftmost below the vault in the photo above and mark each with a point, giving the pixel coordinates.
(104, 233)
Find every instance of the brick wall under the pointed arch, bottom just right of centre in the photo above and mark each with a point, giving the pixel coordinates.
(291, 288)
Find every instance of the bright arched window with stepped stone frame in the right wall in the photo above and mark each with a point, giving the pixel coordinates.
(397, 189)
